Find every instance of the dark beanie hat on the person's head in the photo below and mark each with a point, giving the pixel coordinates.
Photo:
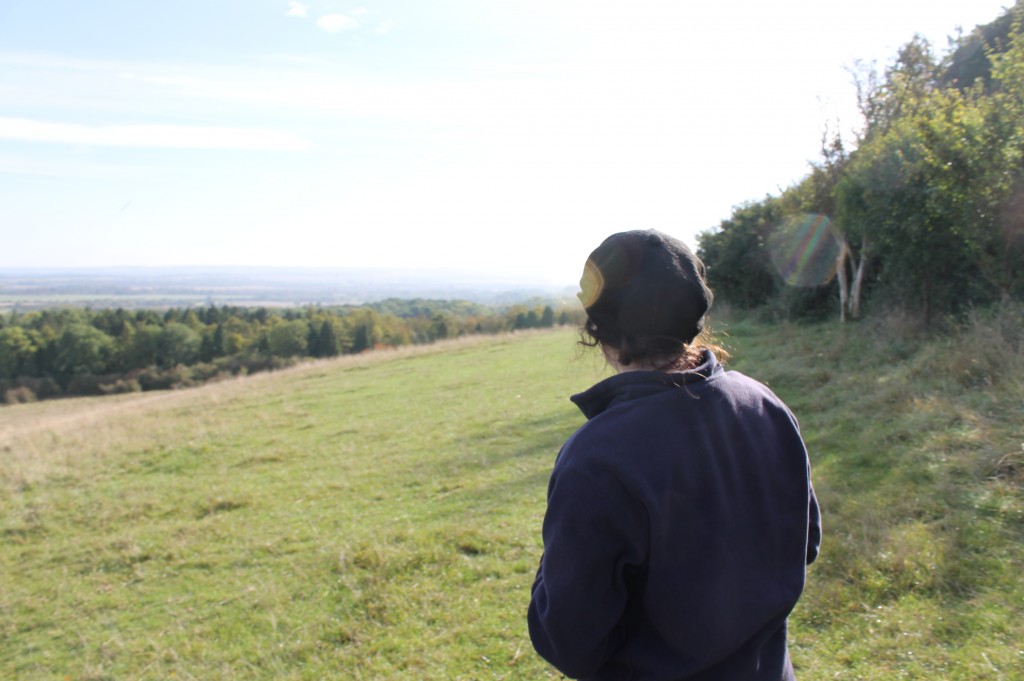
(646, 284)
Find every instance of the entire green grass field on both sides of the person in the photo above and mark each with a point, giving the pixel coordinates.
(378, 517)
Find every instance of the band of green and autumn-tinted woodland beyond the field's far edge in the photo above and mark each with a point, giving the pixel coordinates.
(72, 352)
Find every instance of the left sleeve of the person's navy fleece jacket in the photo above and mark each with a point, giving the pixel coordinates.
(593, 534)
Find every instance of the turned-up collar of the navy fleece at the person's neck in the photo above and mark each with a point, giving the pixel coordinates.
(631, 386)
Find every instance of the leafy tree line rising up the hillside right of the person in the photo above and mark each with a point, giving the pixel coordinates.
(924, 209)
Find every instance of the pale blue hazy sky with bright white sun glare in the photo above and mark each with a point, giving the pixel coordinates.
(502, 136)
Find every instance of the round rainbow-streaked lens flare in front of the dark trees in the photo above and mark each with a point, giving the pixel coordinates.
(805, 250)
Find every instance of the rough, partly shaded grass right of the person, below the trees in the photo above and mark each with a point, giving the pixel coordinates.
(917, 445)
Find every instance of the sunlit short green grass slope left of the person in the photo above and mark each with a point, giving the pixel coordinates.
(366, 519)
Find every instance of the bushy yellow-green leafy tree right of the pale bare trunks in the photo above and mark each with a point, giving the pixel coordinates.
(929, 190)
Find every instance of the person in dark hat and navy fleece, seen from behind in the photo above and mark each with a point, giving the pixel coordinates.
(681, 516)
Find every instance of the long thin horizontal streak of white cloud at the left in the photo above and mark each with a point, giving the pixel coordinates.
(154, 137)
